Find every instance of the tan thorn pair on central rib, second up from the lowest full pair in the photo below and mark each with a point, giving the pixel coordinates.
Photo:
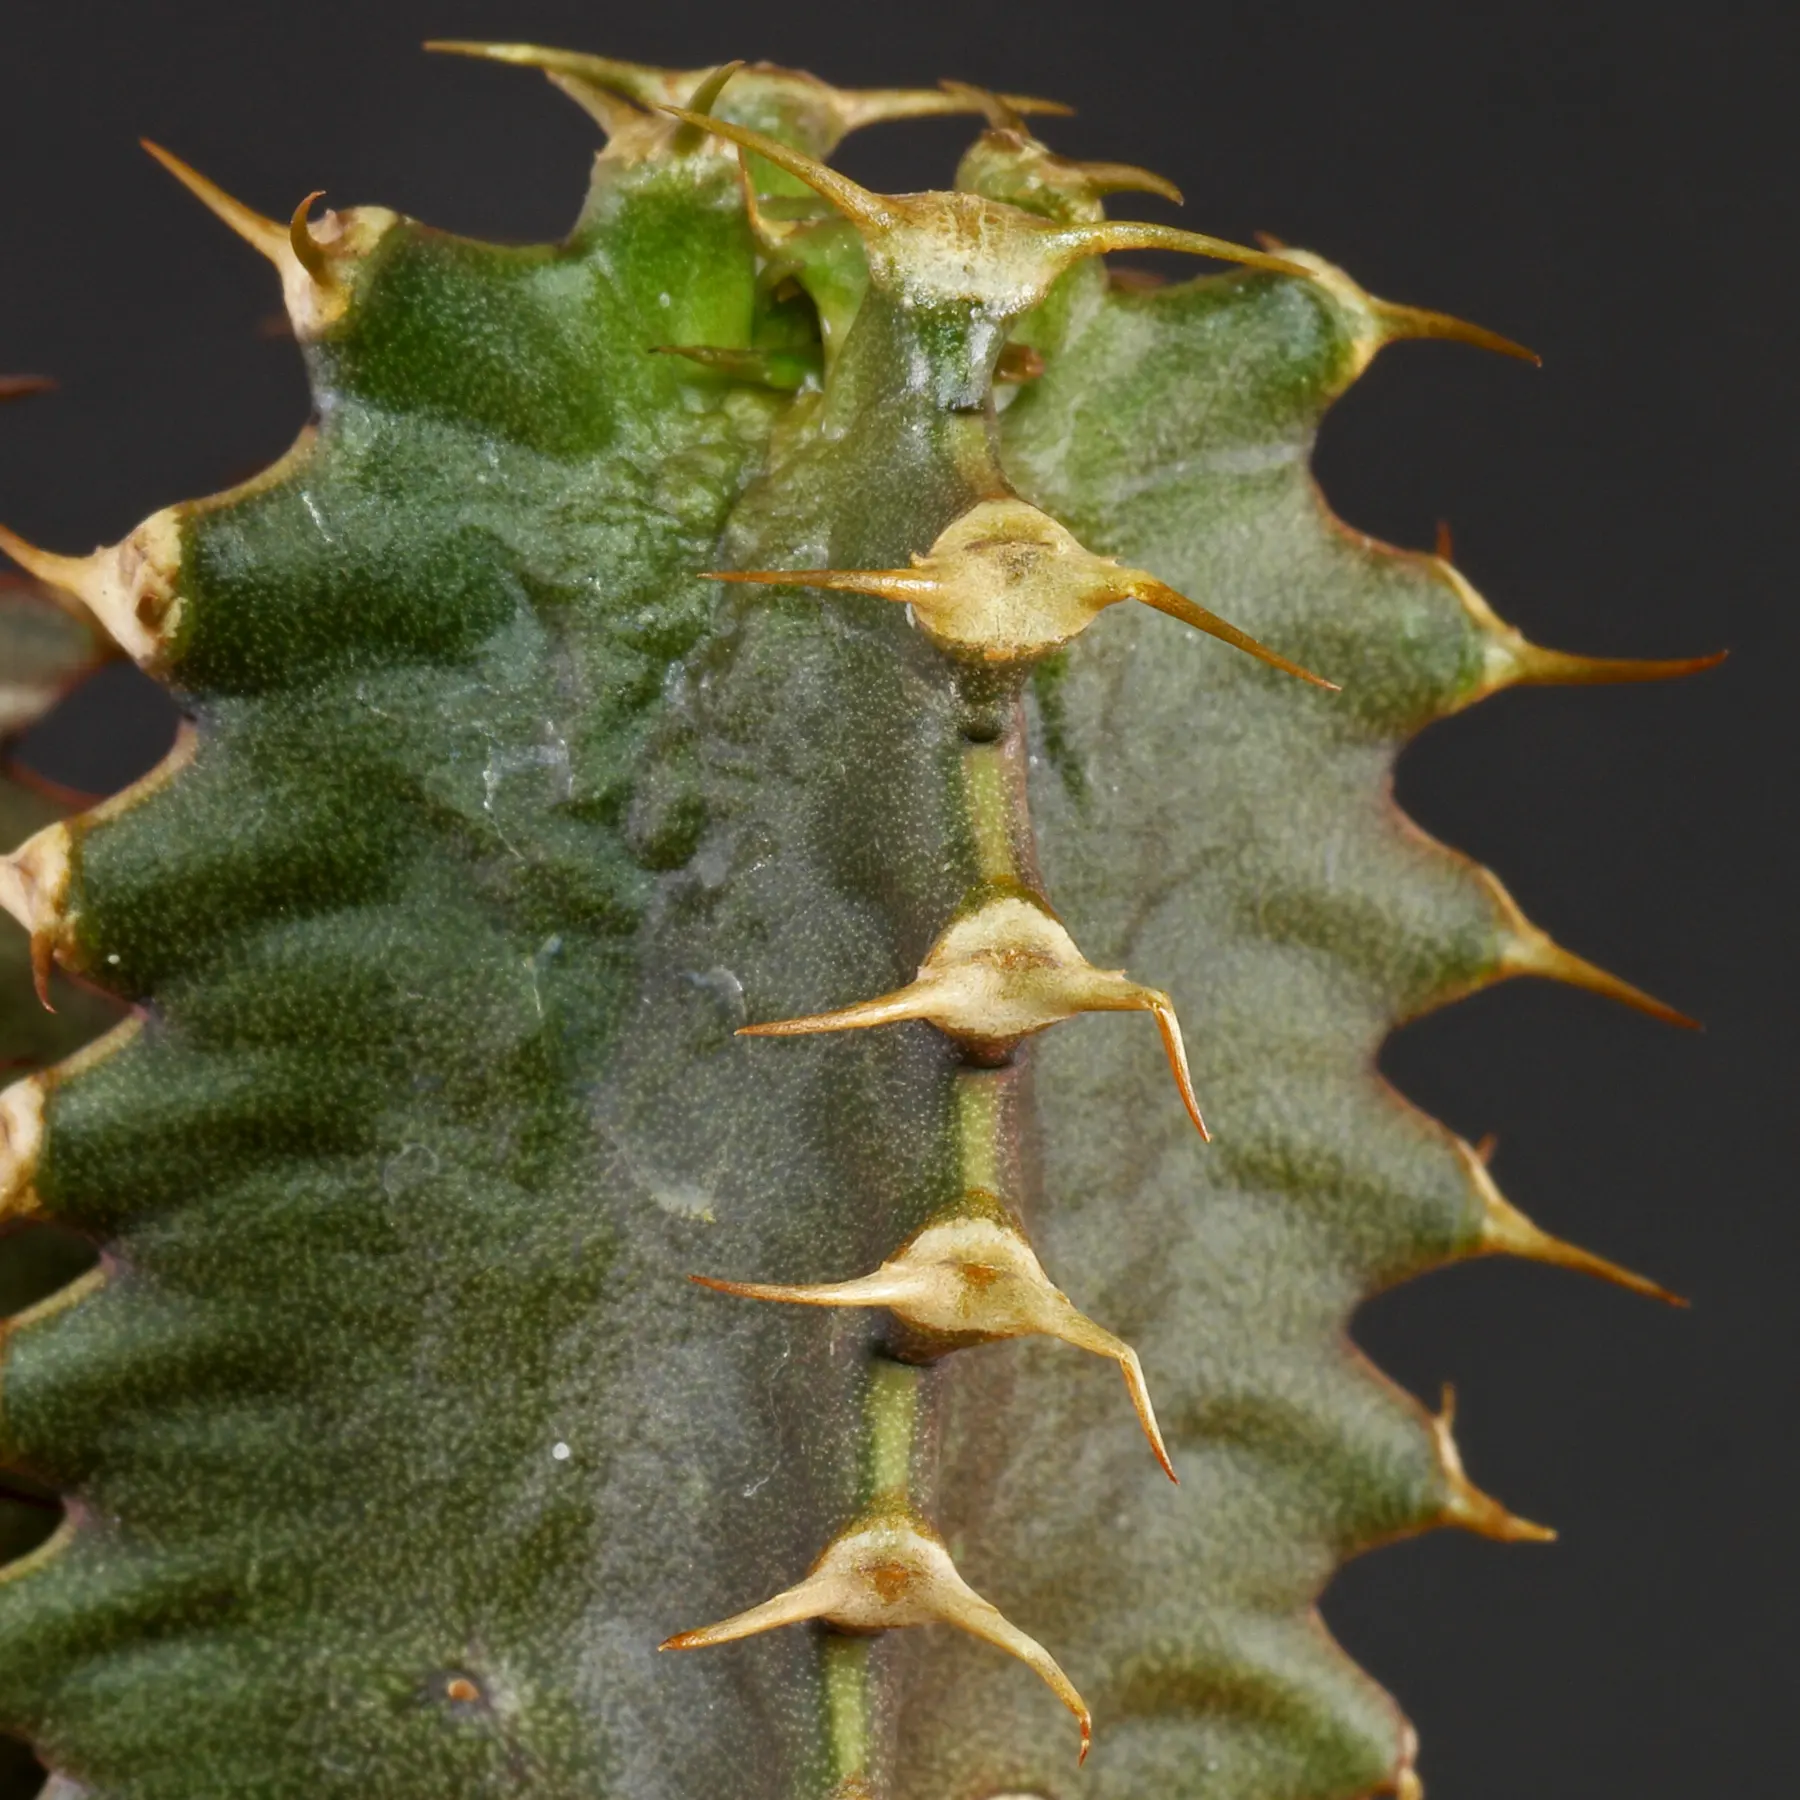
(969, 1277)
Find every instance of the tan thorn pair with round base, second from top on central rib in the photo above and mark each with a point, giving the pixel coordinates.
(1007, 584)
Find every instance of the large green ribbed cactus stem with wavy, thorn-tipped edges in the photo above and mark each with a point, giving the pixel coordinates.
(393, 1432)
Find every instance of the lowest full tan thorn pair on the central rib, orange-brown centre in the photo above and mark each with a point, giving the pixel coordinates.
(890, 1570)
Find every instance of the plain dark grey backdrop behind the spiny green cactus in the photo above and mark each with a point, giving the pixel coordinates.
(1590, 179)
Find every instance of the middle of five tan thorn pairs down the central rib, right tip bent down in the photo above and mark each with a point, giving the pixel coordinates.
(1000, 973)
